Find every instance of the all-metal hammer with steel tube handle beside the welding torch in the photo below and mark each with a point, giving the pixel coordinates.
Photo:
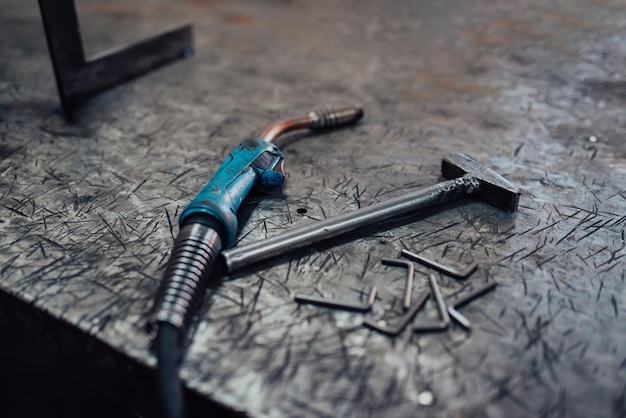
(468, 178)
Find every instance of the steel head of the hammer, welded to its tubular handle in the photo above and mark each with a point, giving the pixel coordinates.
(494, 189)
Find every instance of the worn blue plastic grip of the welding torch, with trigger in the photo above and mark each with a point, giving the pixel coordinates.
(253, 161)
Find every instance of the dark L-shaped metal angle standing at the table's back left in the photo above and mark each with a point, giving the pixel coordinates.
(79, 78)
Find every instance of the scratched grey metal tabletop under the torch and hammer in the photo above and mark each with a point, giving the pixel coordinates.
(535, 90)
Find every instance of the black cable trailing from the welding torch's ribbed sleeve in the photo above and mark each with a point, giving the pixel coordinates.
(170, 385)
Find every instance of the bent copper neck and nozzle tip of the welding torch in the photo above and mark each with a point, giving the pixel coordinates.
(318, 119)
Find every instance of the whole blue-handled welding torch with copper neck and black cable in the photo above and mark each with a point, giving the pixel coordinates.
(208, 224)
